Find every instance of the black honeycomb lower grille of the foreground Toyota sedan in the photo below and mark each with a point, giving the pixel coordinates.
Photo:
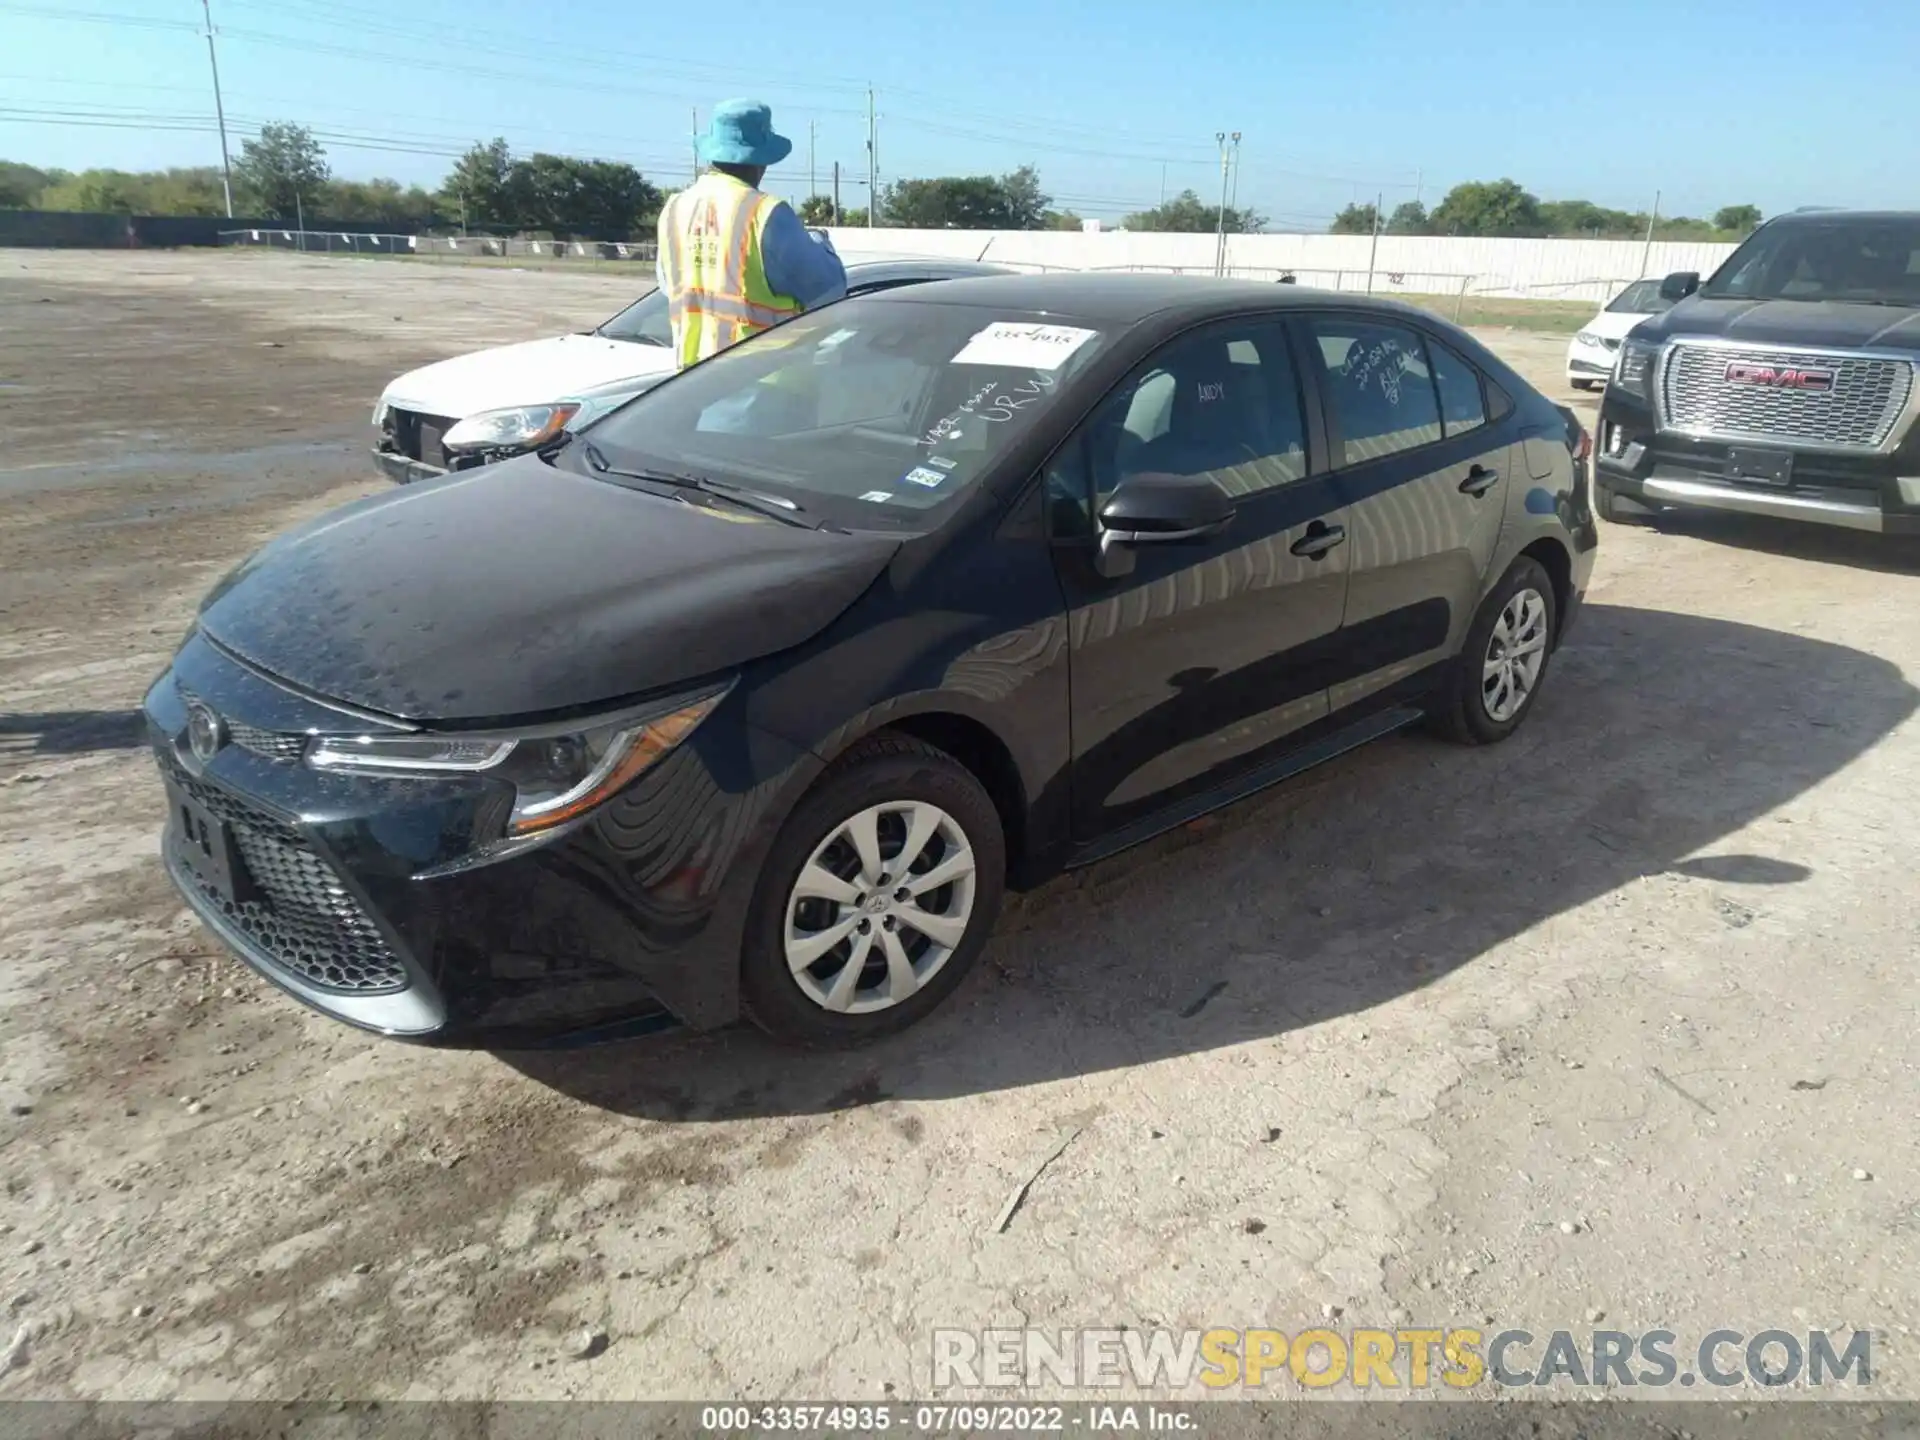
(300, 915)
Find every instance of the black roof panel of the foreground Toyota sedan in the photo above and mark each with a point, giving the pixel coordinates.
(1122, 299)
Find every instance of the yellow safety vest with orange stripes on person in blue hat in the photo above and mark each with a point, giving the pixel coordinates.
(717, 291)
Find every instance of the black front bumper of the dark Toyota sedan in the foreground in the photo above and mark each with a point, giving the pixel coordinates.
(627, 923)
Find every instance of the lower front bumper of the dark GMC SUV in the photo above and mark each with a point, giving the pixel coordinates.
(1666, 471)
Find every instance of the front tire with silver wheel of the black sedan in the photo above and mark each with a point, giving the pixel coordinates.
(871, 802)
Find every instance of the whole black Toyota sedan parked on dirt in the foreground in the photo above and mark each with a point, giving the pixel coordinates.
(757, 694)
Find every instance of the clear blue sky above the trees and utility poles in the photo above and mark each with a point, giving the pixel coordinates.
(1706, 101)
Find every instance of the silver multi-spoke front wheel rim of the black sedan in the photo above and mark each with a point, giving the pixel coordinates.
(880, 907)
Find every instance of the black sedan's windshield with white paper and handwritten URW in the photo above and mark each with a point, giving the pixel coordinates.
(882, 408)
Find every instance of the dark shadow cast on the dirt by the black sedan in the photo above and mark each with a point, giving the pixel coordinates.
(1658, 740)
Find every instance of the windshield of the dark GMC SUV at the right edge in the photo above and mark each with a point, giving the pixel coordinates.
(1850, 260)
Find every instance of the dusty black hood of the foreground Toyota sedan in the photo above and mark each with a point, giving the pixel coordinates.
(521, 588)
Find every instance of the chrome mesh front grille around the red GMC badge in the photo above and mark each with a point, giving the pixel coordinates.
(1856, 414)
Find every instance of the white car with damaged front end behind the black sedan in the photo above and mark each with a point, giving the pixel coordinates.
(483, 408)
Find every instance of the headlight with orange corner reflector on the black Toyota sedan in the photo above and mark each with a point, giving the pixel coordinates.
(556, 777)
